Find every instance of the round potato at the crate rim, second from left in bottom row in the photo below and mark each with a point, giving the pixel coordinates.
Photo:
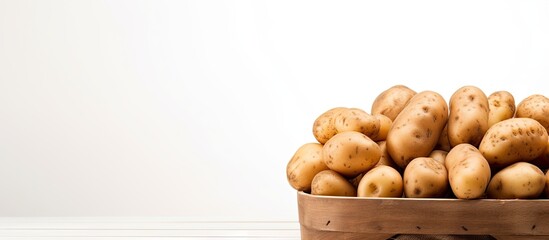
(381, 181)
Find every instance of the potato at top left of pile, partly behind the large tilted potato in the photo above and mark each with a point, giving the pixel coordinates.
(391, 101)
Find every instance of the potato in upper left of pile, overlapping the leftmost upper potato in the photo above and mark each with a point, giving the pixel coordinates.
(354, 119)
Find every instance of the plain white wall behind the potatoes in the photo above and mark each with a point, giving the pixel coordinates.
(193, 108)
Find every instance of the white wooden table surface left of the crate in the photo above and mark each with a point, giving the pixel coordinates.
(143, 228)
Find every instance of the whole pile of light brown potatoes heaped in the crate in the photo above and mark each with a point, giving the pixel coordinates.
(419, 146)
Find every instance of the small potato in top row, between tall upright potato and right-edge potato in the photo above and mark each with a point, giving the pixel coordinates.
(501, 105)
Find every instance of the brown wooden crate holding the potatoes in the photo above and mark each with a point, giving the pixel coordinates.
(326, 217)
